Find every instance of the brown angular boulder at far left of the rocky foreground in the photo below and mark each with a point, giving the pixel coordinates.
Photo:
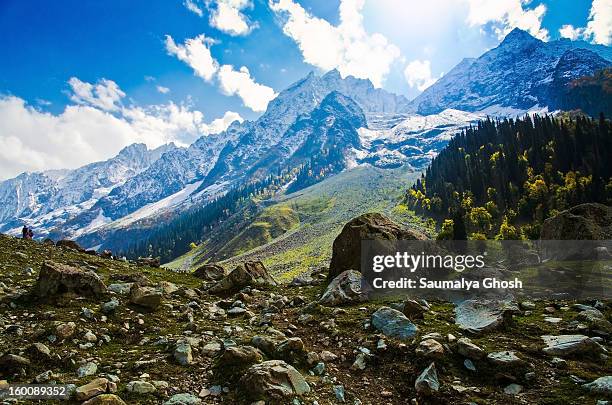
(55, 278)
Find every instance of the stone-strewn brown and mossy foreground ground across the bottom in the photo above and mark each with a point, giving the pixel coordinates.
(122, 332)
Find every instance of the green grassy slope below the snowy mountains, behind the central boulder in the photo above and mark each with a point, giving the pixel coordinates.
(288, 248)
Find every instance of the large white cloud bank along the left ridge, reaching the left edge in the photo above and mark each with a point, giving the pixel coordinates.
(32, 140)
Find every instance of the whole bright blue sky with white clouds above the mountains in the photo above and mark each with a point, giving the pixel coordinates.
(160, 71)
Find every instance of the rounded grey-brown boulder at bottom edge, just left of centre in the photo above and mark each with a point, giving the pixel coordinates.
(273, 379)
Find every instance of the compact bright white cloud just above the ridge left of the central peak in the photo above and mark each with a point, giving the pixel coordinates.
(239, 82)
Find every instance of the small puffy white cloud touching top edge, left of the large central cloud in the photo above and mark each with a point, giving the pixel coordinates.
(227, 16)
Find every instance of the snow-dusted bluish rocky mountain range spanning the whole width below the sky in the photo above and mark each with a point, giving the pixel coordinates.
(327, 123)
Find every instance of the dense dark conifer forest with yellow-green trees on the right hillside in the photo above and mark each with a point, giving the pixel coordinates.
(502, 178)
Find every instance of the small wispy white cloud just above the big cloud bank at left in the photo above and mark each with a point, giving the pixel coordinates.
(105, 95)
